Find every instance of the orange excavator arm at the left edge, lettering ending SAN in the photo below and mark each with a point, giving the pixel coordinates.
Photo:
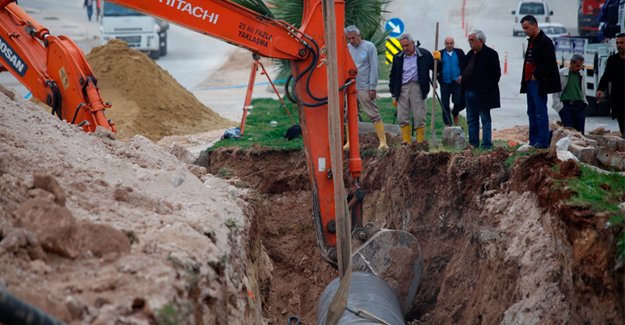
(53, 68)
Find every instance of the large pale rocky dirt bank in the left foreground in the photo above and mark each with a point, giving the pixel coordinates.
(98, 231)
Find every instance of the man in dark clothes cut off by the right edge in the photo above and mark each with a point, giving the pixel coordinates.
(615, 74)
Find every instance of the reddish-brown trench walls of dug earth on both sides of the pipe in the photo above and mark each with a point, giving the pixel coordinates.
(499, 245)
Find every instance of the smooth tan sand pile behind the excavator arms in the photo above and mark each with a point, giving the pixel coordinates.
(146, 99)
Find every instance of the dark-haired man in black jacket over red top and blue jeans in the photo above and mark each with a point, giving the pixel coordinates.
(540, 77)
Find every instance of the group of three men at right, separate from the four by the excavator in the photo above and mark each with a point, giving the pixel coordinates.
(541, 77)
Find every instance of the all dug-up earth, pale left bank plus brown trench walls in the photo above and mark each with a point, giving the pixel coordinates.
(101, 231)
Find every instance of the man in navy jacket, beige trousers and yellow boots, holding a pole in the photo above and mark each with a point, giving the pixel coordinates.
(409, 83)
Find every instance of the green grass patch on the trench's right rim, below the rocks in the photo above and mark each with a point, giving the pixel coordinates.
(601, 193)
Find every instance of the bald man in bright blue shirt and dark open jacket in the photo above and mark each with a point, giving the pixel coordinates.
(450, 78)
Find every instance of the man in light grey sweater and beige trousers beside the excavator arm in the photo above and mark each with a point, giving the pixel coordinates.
(365, 56)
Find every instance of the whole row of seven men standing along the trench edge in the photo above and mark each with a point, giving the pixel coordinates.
(471, 80)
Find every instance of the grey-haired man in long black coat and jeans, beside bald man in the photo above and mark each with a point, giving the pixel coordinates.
(480, 82)
